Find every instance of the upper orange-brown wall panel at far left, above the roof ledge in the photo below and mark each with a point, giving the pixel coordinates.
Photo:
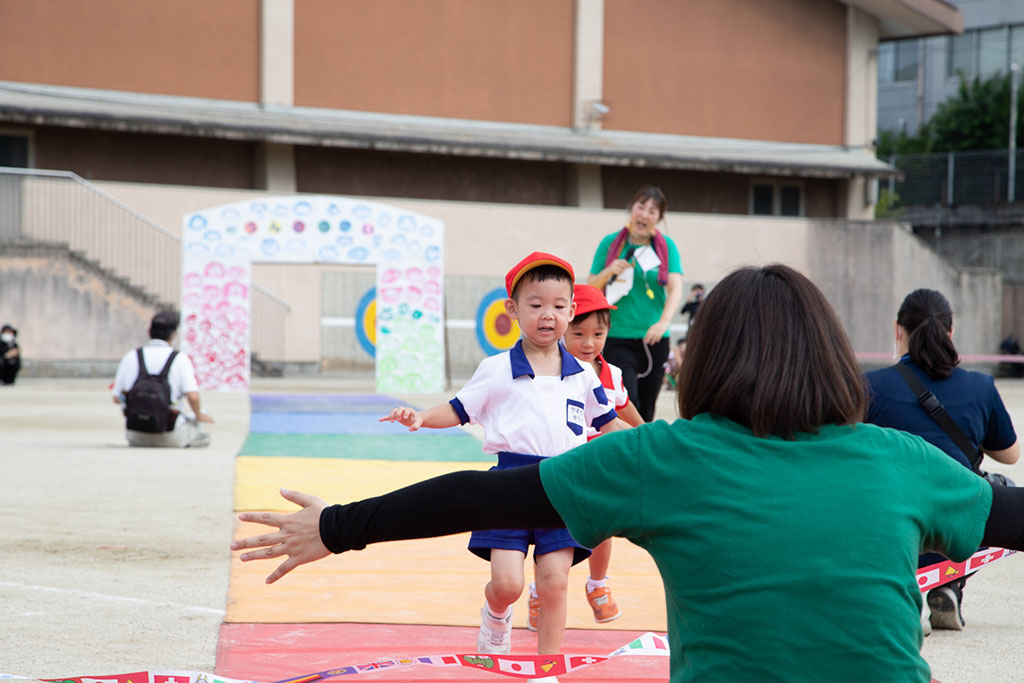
(186, 48)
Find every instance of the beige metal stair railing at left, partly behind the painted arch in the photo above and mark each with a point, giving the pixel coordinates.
(61, 208)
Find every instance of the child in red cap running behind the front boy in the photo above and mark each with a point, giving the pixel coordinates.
(585, 340)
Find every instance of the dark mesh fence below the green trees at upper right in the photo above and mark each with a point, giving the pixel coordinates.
(957, 179)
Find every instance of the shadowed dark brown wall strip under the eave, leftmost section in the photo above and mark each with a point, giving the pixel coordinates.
(145, 158)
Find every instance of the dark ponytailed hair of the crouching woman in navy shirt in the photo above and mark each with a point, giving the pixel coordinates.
(927, 317)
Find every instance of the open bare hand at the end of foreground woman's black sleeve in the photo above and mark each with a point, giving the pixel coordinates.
(297, 535)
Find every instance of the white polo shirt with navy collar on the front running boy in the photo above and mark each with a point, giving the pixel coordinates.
(537, 416)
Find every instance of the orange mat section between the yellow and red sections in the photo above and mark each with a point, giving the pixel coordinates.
(428, 582)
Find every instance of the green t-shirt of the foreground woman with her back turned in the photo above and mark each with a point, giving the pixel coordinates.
(782, 561)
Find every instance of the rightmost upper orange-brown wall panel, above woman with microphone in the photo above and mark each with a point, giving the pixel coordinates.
(766, 70)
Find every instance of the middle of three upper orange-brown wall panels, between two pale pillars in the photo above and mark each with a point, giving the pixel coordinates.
(491, 60)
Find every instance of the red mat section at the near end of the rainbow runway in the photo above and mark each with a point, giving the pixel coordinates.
(275, 652)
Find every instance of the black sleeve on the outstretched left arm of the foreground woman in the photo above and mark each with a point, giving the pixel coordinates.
(449, 504)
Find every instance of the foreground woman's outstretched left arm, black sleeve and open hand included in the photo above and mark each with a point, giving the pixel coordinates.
(450, 504)
